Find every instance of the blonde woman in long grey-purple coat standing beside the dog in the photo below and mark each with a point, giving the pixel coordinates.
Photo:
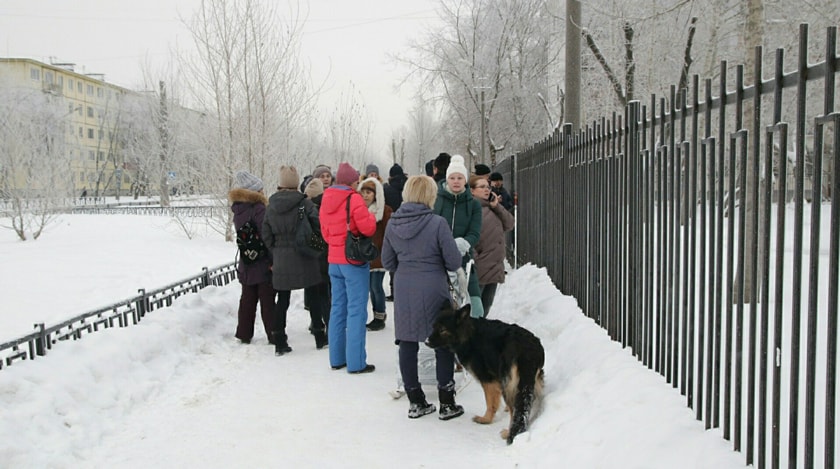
(418, 250)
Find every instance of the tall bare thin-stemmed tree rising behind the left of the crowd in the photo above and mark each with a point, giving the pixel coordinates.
(248, 78)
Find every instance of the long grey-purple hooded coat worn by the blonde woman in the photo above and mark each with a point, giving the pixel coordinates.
(418, 249)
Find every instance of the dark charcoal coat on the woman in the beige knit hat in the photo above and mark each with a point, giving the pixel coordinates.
(290, 270)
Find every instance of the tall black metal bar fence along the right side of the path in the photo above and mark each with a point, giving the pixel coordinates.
(680, 227)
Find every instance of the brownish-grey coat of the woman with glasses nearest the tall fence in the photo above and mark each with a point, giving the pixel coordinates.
(490, 250)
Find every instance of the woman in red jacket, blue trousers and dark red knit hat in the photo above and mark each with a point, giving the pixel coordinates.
(350, 282)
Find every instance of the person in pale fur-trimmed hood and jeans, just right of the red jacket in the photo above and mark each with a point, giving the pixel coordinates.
(372, 191)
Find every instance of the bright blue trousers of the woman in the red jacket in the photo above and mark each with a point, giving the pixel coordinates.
(350, 284)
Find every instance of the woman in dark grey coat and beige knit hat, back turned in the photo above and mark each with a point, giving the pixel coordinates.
(290, 269)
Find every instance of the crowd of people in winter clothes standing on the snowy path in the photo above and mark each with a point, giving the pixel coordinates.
(425, 228)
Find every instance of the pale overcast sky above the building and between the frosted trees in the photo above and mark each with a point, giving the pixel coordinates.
(114, 37)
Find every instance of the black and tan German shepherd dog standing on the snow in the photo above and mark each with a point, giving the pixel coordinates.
(505, 358)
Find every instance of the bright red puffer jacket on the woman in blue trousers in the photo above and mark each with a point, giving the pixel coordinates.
(333, 215)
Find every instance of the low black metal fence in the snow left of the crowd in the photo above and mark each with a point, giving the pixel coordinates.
(121, 314)
